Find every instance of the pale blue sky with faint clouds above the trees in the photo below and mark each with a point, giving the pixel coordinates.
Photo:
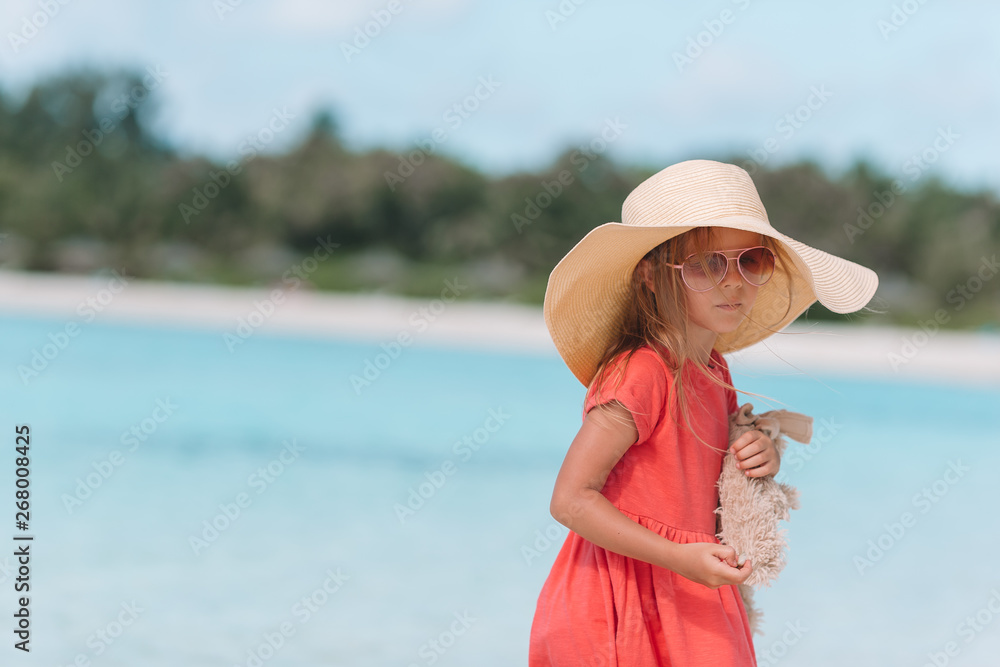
(909, 86)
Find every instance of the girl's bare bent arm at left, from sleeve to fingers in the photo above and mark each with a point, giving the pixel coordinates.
(577, 502)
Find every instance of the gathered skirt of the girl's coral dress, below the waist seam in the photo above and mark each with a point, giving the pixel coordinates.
(640, 605)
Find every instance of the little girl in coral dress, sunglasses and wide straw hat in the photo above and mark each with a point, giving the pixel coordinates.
(641, 312)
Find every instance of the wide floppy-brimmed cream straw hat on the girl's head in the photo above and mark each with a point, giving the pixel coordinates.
(588, 289)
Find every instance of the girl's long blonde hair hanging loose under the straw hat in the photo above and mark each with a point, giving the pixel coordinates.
(660, 317)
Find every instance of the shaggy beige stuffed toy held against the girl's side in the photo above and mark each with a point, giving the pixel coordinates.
(751, 507)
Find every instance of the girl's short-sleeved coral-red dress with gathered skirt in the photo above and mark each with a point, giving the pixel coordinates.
(598, 608)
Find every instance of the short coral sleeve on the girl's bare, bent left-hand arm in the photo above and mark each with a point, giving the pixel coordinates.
(640, 383)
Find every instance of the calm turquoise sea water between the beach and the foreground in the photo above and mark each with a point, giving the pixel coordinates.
(314, 561)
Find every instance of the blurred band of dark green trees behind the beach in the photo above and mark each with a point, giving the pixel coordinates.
(85, 184)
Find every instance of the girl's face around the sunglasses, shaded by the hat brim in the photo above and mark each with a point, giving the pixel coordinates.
(711, 311)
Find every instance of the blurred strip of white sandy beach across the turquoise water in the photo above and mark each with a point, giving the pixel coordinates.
(858, 350)
